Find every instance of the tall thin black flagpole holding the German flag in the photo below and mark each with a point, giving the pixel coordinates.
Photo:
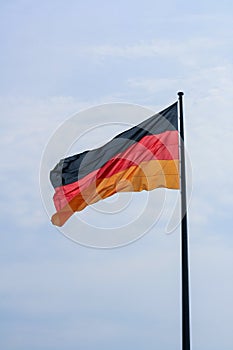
(184, 238)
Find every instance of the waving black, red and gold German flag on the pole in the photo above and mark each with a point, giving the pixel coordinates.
(144, 157)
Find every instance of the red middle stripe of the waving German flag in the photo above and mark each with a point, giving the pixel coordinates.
(161, 147)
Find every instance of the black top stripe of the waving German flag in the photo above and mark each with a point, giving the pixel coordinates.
(74, 168)
